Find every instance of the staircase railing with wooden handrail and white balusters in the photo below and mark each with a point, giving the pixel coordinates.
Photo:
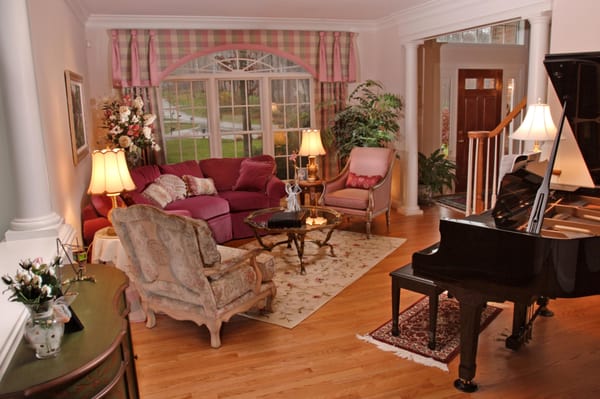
(486, 149)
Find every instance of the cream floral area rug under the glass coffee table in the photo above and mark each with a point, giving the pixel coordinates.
(299, 296)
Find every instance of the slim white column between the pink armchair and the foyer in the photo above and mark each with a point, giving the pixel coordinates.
(410, 177)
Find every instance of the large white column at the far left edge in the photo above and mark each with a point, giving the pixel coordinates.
(34, 216)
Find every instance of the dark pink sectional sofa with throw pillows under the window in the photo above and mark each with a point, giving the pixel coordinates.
(222, 191)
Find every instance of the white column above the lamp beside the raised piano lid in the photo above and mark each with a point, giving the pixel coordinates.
(538, 47)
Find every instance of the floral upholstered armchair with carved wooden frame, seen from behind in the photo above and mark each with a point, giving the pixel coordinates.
(177, 269)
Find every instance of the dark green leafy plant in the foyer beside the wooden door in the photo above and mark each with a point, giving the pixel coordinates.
(436, 172)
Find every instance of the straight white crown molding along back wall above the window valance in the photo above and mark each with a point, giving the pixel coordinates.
(194, 22)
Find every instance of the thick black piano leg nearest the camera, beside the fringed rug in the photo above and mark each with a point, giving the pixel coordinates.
(471, 306)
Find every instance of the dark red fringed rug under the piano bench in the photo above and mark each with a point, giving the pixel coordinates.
(413, 323)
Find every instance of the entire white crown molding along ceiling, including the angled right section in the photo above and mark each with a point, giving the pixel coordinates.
(428, 19)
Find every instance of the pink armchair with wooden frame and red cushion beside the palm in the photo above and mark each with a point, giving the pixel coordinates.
(363, 187)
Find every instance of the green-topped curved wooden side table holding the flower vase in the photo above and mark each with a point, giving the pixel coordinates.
(96, 362)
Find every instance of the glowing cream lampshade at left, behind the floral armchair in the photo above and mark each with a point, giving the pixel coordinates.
(110, 175)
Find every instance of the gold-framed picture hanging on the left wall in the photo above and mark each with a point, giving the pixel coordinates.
(76, 110)
